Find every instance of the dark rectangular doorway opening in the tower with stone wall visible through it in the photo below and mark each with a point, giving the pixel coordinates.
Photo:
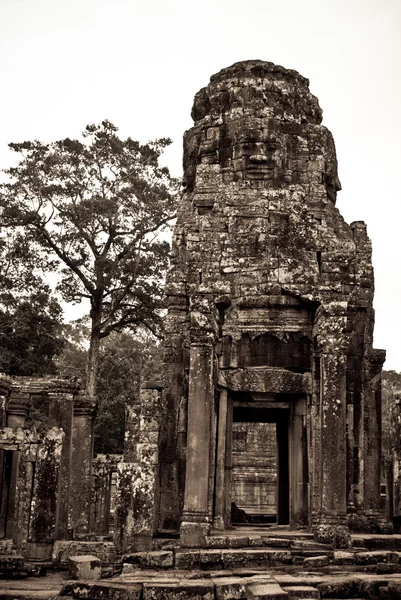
(260, 465)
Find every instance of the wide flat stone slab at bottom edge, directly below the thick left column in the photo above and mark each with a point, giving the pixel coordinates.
(180, 590)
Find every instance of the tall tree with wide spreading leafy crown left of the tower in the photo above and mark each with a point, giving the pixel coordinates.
(96, 208)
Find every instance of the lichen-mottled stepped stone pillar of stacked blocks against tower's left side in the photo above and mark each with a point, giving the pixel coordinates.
(137, 479)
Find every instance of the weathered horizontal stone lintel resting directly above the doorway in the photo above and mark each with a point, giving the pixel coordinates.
(265, 380)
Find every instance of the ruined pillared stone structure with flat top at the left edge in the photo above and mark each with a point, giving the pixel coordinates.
(46, 451)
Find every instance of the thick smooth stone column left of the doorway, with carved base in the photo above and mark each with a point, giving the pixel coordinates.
(196, 515)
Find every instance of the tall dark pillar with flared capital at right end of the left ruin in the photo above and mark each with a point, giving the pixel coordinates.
(81, 463)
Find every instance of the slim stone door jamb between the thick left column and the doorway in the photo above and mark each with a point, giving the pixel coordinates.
(219, 502)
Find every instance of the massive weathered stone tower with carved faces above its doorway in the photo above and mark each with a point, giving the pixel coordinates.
(270, 316)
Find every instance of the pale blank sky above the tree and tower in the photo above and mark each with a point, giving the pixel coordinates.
(67, 63)
